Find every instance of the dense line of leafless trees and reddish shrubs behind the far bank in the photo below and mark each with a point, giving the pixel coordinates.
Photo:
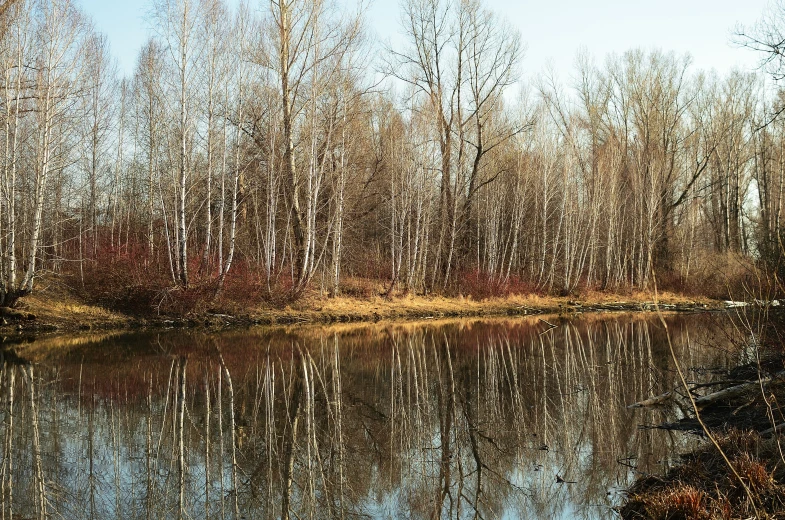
(275, 148)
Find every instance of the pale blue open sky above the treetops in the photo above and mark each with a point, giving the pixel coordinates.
(553, 30)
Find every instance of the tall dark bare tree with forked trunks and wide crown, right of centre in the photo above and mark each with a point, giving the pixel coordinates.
(461, 59)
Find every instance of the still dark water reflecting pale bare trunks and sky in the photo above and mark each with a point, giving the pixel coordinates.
(456, 419)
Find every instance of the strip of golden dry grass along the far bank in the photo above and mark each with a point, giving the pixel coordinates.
(60, 307)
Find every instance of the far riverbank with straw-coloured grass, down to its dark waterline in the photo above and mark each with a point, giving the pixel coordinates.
(54, 309)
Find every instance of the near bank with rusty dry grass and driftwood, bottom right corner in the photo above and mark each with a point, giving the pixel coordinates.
(739, 471)
